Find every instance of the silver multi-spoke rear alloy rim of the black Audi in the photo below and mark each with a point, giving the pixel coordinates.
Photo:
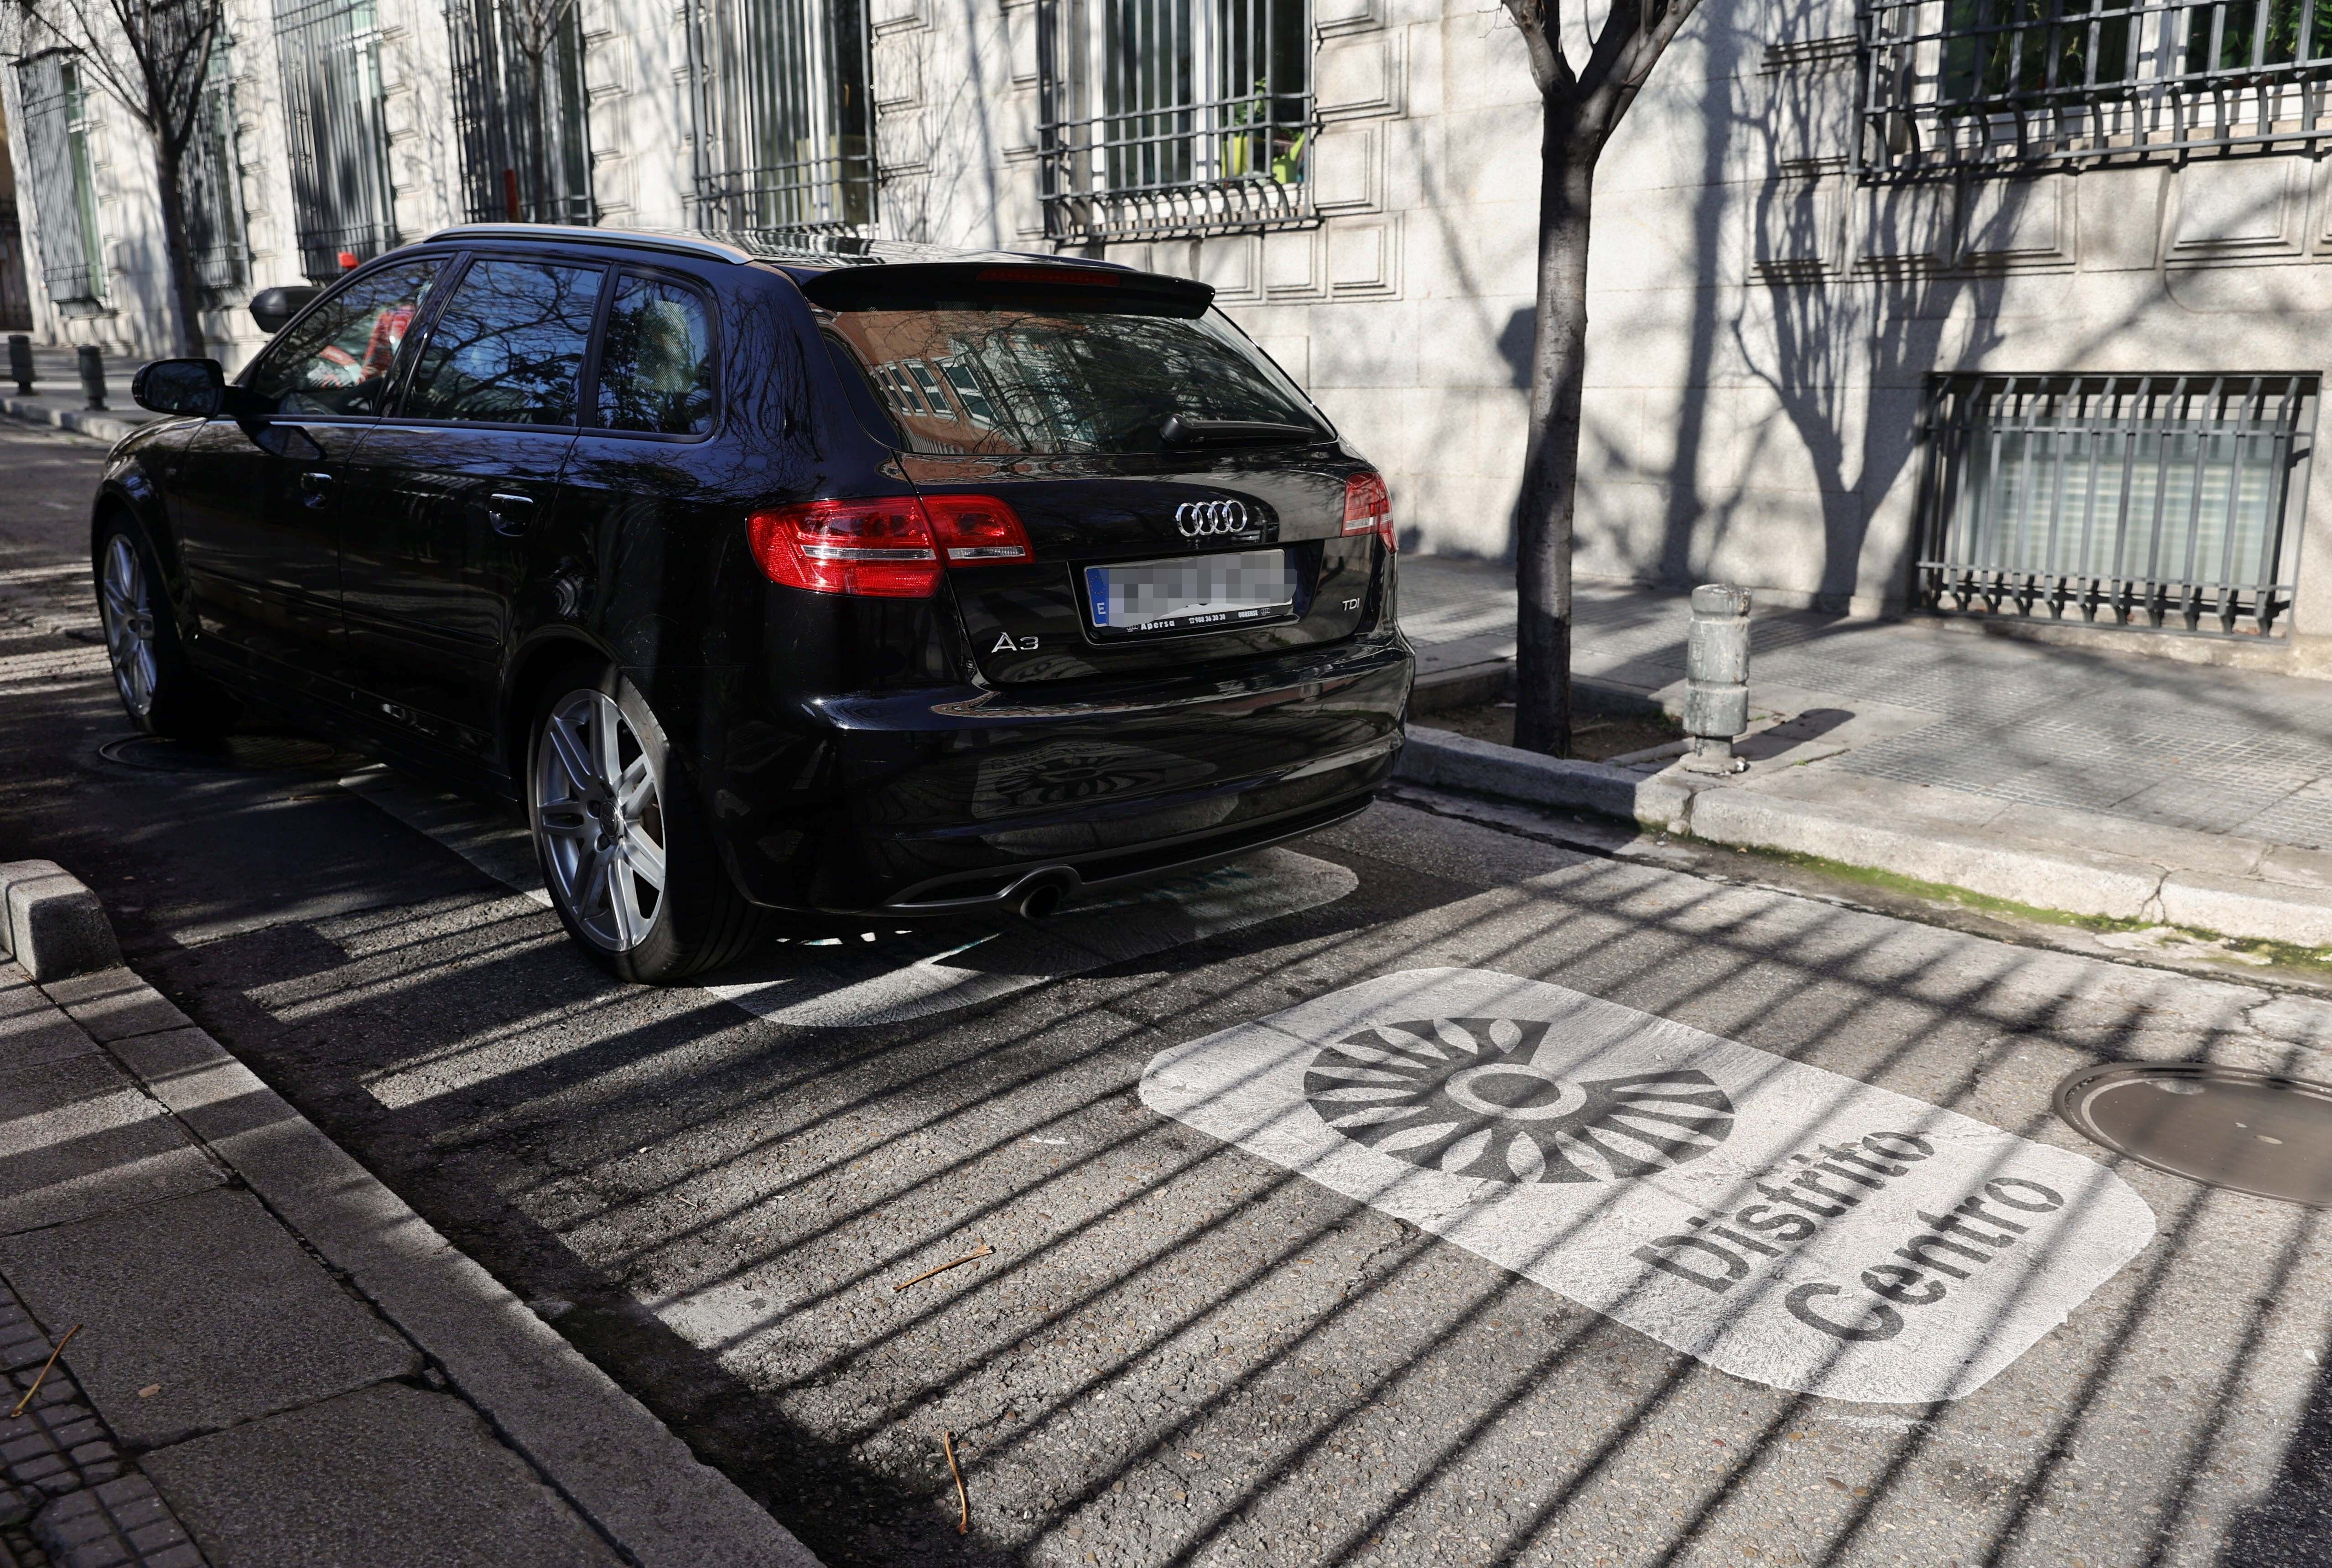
(600, 822)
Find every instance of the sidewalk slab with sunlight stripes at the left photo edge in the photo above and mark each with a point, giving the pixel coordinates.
(78, 1137)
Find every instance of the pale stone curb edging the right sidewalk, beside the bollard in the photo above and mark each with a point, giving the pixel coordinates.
(2046, 876)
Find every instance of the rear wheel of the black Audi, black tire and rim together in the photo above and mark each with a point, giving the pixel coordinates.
(621, 839)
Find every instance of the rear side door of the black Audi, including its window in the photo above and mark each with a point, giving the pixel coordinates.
(456, 484)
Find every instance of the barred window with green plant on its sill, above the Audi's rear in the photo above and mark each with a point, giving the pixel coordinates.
(1165, 118)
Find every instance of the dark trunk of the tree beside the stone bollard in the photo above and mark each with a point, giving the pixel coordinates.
(1543, 668)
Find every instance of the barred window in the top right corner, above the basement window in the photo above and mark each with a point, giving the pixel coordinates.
(2060, 83)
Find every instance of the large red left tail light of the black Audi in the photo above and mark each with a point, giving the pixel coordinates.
(885, 549)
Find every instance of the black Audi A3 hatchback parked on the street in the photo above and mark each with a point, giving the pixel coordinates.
(866, 580)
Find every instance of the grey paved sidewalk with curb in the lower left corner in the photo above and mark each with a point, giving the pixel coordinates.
(274, 1359)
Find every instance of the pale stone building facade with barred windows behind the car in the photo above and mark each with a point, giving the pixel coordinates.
(1981, 307)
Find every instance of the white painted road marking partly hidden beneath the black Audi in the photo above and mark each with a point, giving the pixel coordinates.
(897, 974)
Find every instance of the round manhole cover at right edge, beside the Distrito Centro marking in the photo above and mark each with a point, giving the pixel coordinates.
(2221, 1126)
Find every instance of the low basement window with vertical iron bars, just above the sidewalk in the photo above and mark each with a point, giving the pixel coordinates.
(2135, 500)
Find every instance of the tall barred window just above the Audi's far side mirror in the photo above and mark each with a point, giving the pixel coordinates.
(339, 143)
